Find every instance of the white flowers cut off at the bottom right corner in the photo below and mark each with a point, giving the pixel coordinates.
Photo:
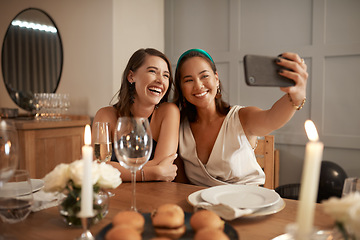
(346, 212)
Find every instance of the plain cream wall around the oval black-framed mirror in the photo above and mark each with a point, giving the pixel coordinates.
(98, 39)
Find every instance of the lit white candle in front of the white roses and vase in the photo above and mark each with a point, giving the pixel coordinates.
(87, 188)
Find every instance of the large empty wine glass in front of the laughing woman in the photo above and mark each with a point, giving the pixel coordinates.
(133, 146)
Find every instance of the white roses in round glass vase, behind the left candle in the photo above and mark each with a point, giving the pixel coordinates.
(67, 179)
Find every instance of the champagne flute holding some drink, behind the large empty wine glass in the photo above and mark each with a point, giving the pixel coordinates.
(102, 142)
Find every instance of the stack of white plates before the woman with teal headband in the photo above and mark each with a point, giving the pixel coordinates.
(261, 201)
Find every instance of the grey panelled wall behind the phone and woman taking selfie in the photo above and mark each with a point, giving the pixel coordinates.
(325, 33)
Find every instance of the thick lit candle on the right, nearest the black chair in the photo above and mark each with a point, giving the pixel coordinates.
(309, 181)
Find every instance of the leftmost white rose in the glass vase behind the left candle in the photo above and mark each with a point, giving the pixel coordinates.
(57, 179)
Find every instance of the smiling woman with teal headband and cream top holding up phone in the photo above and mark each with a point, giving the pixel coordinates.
(216, 140)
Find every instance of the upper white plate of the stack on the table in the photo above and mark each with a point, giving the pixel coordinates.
(241, 196)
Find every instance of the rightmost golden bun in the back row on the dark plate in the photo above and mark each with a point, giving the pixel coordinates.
(206, 219)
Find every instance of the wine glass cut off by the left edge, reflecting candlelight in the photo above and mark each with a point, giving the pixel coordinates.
(8, 151)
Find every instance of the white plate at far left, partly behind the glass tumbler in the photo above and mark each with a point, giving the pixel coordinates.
(22, 188)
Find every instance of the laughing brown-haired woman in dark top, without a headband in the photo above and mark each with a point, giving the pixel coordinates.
(144, 92)
